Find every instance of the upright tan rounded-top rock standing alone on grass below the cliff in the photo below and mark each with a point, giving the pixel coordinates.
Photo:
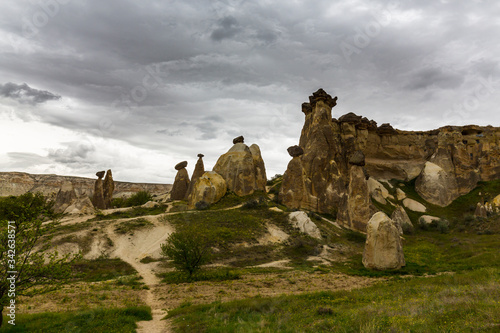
(383, 248)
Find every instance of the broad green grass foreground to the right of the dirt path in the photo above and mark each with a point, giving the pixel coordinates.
(465, 302)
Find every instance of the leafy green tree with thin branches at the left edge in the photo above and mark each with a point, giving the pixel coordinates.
(24, 267)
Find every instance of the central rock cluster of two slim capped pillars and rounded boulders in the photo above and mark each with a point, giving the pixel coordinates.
(240, 170)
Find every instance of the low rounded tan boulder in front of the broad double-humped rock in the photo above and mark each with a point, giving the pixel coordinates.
(210, 187)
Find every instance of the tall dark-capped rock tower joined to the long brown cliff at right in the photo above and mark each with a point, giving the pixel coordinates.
(319, 179)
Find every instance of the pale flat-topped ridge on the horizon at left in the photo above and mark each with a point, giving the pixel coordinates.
(17, 183)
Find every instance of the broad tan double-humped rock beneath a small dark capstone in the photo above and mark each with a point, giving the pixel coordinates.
(243, 169)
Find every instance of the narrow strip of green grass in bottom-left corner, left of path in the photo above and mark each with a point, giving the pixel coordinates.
(91, 321)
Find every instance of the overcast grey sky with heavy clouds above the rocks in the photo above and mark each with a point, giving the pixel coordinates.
(138, 86)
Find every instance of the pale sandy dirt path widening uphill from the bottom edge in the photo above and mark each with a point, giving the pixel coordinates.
(132, 249)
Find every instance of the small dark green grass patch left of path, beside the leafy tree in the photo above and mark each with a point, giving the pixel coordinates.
(101, 269)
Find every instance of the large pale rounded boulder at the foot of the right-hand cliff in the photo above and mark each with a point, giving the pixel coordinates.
(436, 186)
